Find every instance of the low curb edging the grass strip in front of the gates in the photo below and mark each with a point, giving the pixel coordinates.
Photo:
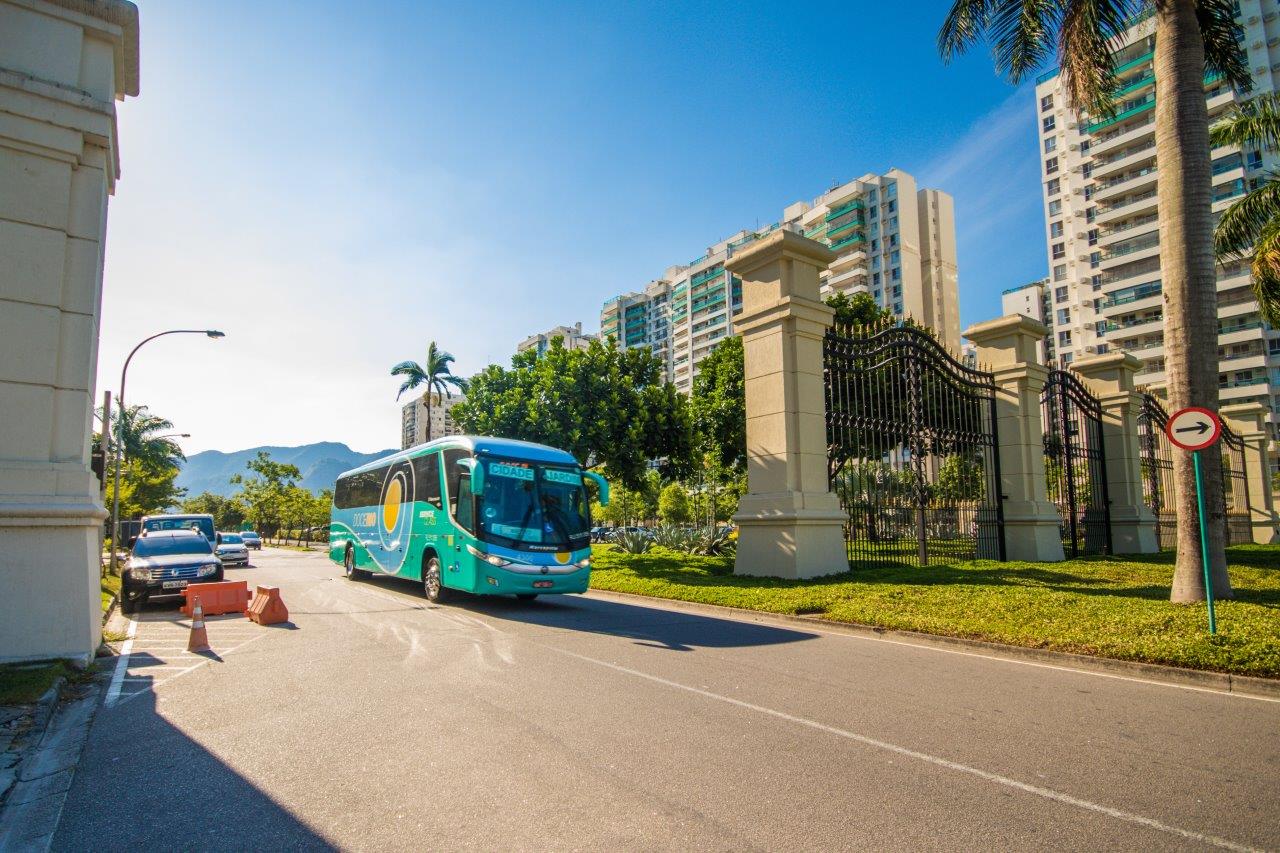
(1171, 676)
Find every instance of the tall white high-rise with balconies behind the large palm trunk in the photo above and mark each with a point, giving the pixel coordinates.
(1103, 230)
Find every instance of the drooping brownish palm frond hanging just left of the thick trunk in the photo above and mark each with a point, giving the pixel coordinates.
(1090, 34)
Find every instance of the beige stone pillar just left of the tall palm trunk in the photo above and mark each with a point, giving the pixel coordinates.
(1110, 377)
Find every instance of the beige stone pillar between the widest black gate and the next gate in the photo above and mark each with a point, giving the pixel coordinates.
(1008, 348)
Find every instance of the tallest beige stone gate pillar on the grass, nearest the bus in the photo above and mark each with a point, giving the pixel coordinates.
(790, 523)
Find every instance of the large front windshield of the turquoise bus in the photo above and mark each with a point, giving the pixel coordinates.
(538, 508)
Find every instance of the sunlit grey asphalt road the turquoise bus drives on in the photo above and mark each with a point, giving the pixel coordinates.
(380, 722)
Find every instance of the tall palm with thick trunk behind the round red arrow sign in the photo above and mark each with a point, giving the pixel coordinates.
(1191, 37)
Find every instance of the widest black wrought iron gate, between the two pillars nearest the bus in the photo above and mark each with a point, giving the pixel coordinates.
(912, 448)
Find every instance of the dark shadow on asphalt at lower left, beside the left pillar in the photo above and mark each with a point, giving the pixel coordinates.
(145, 784)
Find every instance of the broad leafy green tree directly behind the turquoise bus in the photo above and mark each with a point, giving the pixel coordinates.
(609, 408)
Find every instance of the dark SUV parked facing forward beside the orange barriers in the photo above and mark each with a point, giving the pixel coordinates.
(164, 563)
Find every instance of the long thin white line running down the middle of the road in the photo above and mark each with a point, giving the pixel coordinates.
(1048, 793)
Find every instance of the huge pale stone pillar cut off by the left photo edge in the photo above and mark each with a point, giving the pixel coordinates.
(63, 66)
